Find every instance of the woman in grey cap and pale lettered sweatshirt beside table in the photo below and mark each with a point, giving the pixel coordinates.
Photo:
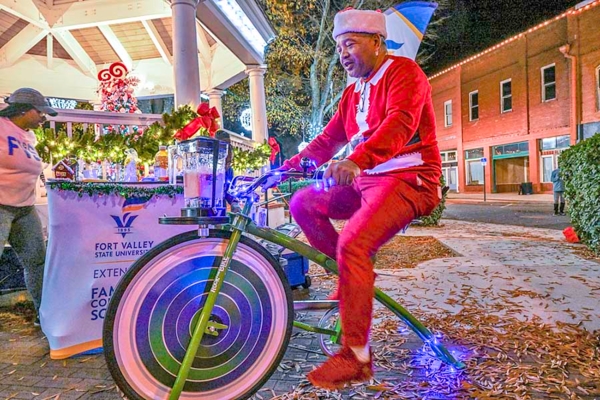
(20, 167)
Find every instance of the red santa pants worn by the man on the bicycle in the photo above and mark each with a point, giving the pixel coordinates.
(376, 207)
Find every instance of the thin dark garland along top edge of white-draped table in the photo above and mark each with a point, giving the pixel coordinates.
(107, 189)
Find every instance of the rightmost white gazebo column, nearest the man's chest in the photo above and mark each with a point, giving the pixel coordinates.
(258, 102)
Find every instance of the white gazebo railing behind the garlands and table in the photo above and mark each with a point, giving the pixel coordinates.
(87, 118)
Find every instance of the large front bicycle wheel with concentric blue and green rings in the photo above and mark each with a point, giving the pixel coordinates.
(154, 309)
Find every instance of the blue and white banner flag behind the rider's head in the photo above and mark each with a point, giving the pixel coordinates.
(406, 24)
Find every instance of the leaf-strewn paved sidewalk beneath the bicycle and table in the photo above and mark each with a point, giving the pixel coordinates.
(518, 305)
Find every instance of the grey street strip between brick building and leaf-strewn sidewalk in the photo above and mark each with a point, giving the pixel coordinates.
(534, 215)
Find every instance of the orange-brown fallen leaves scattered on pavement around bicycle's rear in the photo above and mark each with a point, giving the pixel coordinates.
(506, 356)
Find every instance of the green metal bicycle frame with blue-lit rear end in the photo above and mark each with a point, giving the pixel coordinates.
(240, 223)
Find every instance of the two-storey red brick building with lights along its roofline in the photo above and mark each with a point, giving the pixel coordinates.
(520, 103)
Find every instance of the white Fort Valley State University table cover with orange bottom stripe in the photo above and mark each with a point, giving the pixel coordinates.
(92, 242)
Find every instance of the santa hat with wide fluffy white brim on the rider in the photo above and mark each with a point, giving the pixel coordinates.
(359, 21)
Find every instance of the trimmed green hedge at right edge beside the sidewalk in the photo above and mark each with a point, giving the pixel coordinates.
(580, 171)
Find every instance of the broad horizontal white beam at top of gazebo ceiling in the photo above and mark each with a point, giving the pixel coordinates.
(86, 14)
